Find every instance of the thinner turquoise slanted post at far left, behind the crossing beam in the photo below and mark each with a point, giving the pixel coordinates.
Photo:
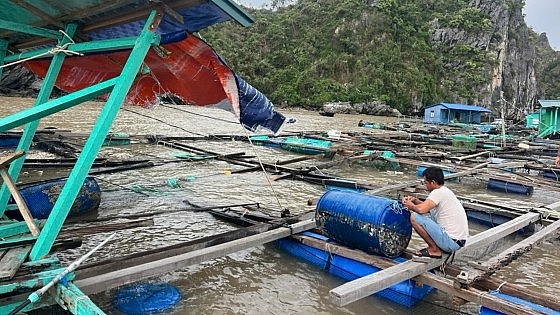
(31, 128)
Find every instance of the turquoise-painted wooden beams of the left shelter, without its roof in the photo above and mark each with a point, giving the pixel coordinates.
(118, 88)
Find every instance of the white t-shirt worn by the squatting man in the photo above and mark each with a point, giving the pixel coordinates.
(449, 213)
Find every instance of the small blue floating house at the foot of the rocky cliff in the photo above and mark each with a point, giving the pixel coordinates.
(445, 113)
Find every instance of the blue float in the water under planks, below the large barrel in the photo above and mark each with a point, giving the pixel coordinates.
(406, 293)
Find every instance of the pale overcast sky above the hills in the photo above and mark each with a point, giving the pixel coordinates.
(541, 15)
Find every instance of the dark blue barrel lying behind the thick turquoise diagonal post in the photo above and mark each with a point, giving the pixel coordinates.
(40, 198)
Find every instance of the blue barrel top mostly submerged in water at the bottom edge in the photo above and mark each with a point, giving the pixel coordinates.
(146, 298)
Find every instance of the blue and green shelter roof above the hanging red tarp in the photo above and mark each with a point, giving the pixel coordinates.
(101, 19)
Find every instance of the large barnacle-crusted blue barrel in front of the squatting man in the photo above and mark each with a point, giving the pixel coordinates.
(373, 224)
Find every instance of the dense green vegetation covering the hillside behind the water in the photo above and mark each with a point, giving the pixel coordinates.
(319, 51)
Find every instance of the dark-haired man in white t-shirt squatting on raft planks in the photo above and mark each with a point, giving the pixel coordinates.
(446, 229)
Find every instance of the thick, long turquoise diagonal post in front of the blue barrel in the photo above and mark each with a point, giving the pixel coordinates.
(102, 126)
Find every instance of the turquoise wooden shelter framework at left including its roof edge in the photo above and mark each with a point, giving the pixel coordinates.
(18, 248)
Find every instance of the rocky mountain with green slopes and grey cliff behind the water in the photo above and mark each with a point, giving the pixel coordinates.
(406, 54)
